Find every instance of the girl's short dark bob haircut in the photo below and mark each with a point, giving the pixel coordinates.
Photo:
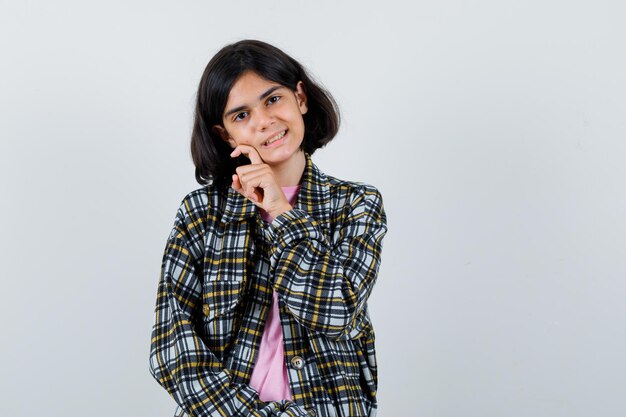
(210, 153)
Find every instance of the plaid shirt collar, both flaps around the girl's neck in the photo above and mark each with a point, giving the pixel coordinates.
(313, 197)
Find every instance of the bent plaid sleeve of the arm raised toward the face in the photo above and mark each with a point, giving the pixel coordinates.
(324, 284)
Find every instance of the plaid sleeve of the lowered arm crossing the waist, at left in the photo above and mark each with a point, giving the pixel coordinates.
(179, 359)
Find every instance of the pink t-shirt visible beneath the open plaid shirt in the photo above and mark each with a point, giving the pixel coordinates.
(269, 376)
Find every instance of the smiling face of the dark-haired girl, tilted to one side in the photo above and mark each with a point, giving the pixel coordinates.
(267, 116)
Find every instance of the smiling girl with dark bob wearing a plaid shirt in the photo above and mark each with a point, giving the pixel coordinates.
(262, 300)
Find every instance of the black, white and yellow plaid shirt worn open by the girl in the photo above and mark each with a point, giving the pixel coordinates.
(220, 264)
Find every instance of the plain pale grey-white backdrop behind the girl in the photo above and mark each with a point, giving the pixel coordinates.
(495, 131)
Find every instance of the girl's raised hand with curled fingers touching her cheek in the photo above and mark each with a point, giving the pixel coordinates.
(258, 183)
